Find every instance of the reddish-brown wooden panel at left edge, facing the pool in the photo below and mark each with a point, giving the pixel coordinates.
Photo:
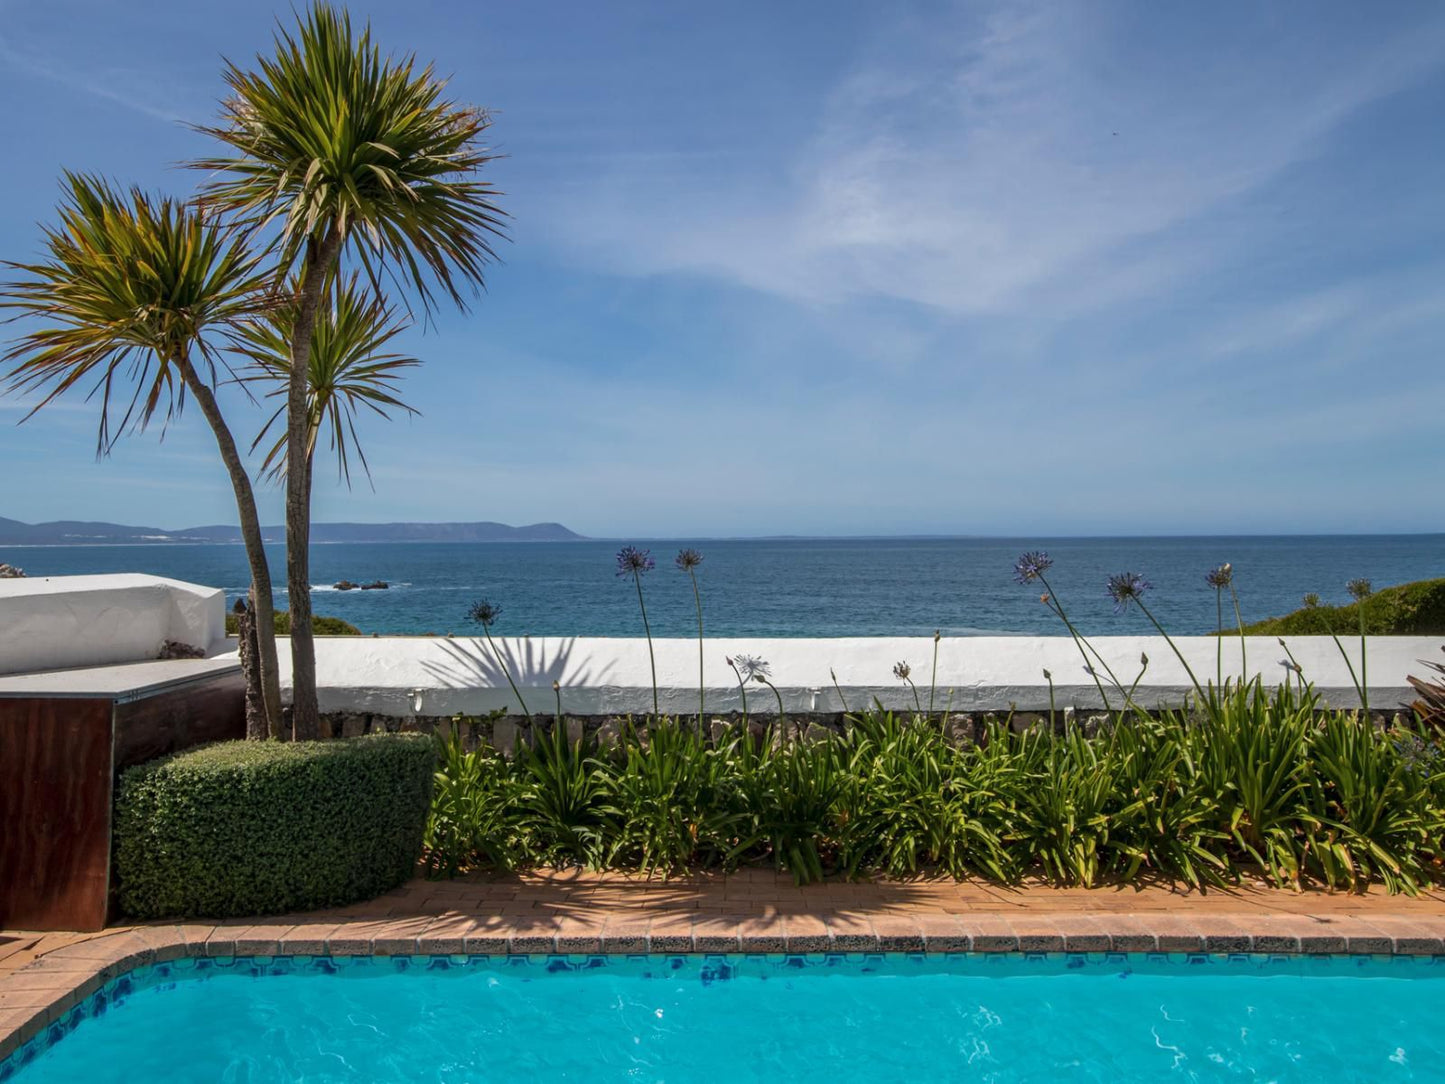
(56, 793)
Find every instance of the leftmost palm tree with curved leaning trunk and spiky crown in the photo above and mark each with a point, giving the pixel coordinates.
(129, 298)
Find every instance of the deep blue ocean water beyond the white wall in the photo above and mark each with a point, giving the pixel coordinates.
(846, 588)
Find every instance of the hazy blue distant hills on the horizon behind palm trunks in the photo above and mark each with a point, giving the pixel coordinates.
(82, 534)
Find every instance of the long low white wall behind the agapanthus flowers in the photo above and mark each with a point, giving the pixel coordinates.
(602, 676)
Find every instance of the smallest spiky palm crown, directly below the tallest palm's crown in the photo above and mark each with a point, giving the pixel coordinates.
(350, 372)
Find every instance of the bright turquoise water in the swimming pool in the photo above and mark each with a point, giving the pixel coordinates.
(681, 1020)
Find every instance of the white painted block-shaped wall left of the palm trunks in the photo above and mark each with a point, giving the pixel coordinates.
(95, 621)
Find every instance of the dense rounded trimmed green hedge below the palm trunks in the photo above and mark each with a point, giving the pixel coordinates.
(264, 827)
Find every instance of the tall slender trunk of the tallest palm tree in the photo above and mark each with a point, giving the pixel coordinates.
(306, 716)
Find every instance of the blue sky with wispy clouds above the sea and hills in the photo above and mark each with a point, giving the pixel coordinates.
(1019, 268)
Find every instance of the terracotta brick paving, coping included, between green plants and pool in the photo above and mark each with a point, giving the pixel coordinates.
(43, 976)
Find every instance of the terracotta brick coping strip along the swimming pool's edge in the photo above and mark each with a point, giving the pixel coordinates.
(43, 992)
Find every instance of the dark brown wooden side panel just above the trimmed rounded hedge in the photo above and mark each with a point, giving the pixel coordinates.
(212, 710)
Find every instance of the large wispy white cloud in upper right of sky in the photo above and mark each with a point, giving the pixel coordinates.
(1002, 165)
